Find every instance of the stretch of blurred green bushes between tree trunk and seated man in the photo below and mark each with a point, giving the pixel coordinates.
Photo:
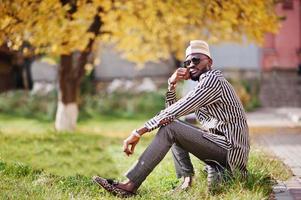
(123, 104)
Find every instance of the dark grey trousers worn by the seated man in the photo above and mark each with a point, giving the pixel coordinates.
(182, 138)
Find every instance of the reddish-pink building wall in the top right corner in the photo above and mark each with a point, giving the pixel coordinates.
(280, 50)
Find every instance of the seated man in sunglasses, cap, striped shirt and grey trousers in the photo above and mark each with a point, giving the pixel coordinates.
(222, 142)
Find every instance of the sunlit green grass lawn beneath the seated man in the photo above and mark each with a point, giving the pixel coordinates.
(38, 163)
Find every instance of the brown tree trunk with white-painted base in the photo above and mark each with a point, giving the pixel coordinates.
(70, 75)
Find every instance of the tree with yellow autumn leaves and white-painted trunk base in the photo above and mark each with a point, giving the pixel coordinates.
(144, 30)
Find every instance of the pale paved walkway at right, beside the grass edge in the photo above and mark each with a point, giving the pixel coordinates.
(279, 131)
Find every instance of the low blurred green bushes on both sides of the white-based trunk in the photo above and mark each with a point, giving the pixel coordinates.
(121, 104)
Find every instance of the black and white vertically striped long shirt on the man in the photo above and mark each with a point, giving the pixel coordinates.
(218, 108)
